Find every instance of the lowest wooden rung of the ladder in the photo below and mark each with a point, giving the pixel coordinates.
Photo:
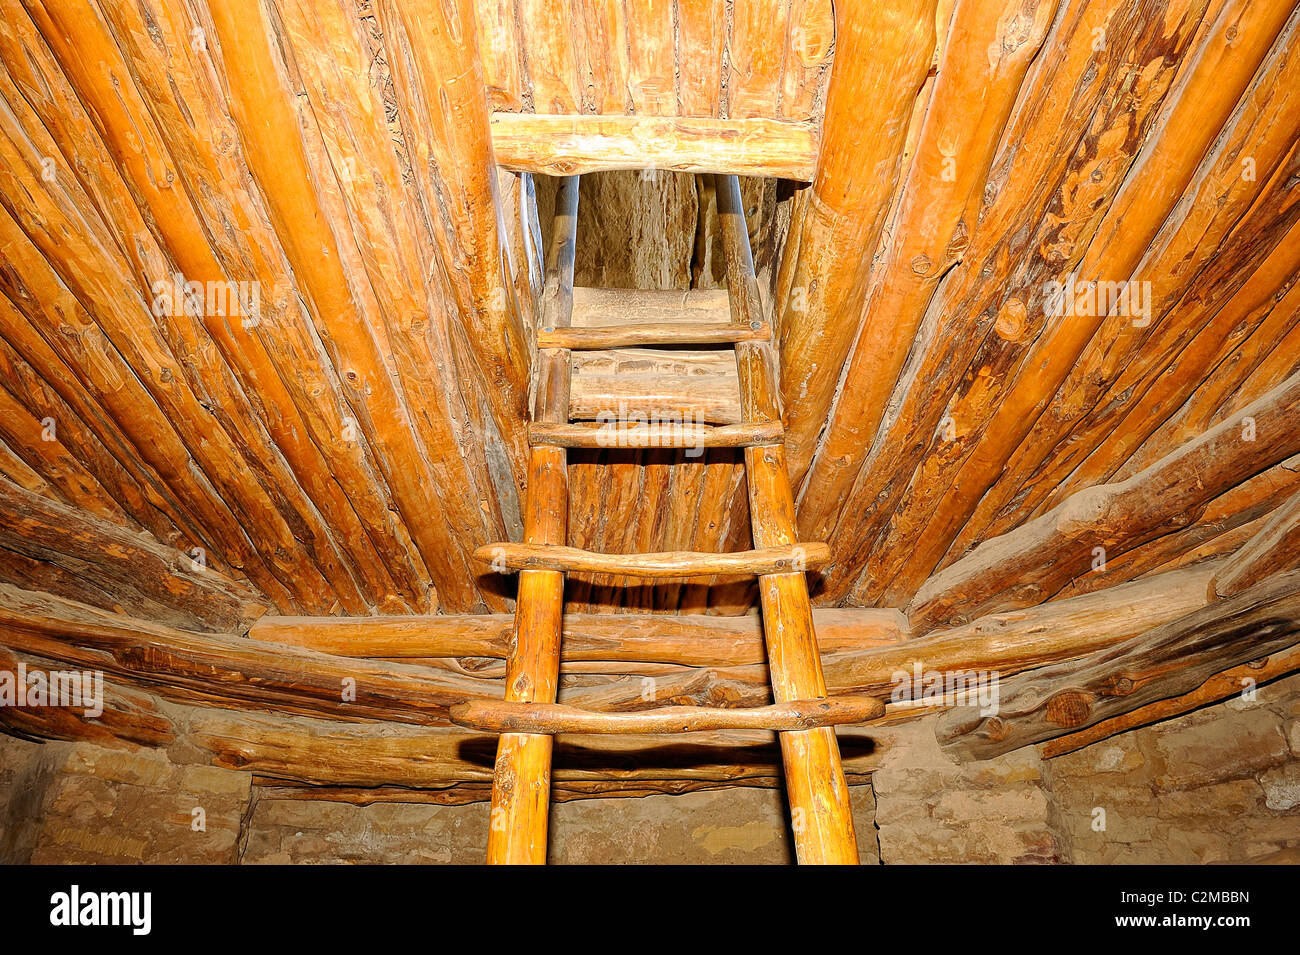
(549, 719)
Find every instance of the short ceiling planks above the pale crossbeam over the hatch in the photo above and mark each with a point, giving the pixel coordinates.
(666, 58)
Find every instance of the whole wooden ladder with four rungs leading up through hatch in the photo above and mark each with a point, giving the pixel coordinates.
(530, 718)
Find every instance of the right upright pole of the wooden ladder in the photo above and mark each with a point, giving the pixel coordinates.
(822, 818)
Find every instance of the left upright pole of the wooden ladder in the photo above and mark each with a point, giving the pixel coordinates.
(522, 782)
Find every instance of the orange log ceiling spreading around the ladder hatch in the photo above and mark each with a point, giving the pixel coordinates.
(343, 448)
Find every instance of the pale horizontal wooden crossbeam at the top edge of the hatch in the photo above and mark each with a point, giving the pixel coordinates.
(575, 145)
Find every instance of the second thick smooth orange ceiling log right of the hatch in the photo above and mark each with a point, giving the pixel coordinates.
(939, 207)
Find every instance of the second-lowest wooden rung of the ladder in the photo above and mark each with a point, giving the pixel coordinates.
(668, 566)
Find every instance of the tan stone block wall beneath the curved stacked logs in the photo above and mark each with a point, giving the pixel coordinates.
(1217, 785)
